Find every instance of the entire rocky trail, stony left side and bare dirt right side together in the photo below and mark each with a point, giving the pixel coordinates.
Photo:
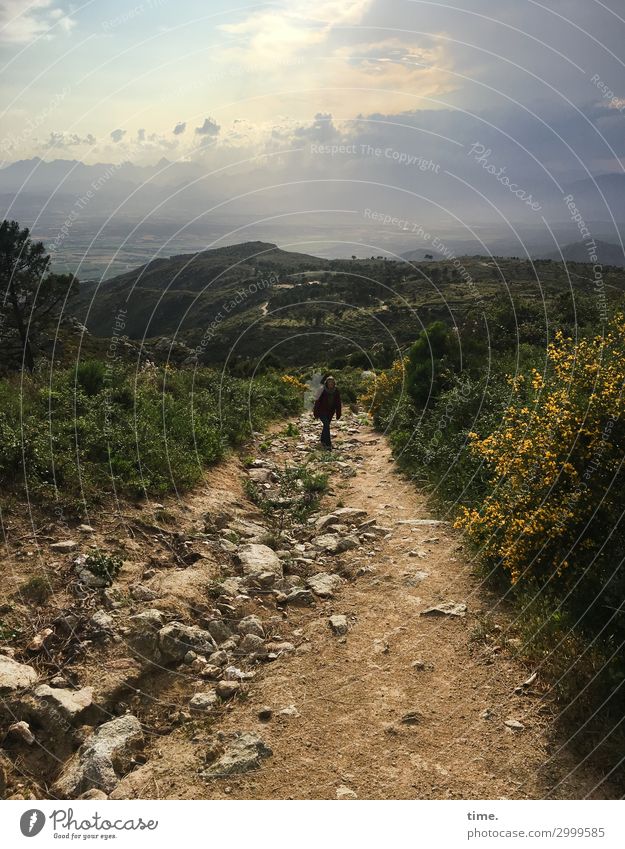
(350, 653)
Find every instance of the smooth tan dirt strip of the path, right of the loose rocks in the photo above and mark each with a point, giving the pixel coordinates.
(405, 705)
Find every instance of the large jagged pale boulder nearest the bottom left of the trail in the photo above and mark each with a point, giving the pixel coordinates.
(105, 757)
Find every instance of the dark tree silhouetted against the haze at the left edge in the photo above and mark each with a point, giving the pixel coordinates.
(31, 294)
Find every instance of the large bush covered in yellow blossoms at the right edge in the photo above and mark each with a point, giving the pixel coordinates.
(555, 464)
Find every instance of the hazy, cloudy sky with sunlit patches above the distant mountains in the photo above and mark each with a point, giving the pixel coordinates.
(361, 104)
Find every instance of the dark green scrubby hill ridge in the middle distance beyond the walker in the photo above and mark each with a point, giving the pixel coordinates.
(255, 299)
